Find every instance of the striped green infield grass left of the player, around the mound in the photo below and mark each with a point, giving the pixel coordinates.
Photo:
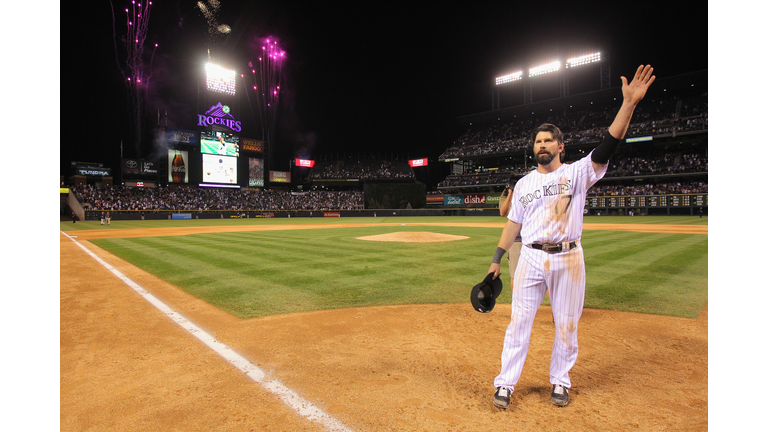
(262, 273)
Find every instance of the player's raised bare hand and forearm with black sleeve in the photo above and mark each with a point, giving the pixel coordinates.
(633, 92)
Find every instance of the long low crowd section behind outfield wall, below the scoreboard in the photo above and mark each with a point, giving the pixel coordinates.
(186, 198)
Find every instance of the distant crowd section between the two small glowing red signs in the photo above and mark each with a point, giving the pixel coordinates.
(362, 169)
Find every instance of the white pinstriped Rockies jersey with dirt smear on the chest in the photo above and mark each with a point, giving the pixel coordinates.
(550, 207)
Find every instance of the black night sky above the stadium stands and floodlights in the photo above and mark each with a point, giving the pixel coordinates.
(391, 78)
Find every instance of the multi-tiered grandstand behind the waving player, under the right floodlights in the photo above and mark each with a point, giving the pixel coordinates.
(665, 152)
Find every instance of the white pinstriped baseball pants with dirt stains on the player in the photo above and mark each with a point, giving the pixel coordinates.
(565, 277)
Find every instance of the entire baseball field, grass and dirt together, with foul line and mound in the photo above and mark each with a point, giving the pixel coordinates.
(364, 324)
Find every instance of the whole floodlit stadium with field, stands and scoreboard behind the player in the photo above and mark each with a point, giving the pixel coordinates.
(209, 282)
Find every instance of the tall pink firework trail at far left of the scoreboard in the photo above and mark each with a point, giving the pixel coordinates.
(135, 74)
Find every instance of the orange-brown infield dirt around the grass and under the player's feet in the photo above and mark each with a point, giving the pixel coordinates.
(125, 366)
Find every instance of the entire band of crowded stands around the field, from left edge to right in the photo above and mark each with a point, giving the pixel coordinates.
(661, 169)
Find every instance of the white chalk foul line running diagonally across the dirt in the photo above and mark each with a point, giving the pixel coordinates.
(288, 396)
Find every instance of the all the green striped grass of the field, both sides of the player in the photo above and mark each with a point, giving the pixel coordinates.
(259, 273)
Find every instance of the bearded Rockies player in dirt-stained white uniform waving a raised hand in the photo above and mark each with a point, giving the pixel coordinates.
(546, 210)
